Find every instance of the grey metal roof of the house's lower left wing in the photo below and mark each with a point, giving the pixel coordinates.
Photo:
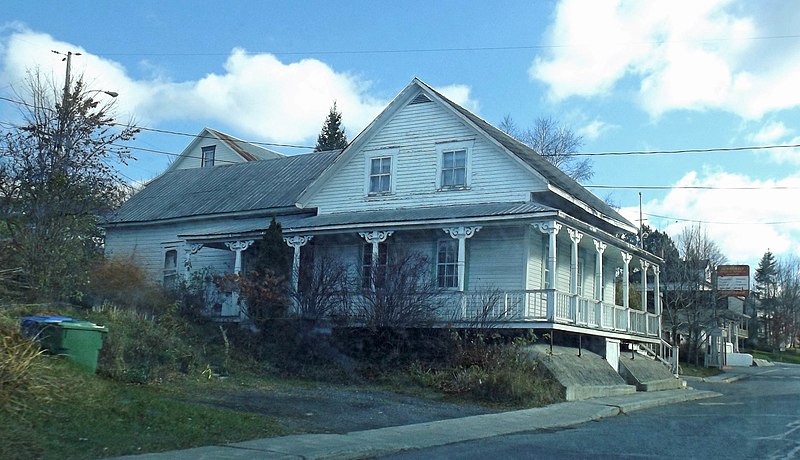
(250, 186)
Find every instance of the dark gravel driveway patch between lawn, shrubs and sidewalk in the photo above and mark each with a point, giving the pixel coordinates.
(338, 409)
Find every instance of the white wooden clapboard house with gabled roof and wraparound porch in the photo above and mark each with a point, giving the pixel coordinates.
(426, 175)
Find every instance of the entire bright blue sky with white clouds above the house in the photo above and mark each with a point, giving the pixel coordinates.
(627, 76)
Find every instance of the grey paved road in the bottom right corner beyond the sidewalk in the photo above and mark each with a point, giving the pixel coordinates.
(757, 417)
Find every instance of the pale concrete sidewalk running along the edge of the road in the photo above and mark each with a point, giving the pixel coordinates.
(384, 441)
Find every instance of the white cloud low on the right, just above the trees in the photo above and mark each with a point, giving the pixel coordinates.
(744, 223)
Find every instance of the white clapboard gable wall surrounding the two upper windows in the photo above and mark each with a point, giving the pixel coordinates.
(414, 133)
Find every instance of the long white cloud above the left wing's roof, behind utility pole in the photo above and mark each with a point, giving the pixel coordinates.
(256, 94)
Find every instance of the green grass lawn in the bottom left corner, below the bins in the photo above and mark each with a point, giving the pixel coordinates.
(91, 417)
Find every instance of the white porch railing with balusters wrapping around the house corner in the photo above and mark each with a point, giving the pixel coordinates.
(549, 305)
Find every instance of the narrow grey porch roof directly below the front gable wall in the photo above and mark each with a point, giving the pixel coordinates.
(417, 215)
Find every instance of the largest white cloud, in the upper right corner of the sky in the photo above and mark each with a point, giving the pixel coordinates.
(695, 55)
